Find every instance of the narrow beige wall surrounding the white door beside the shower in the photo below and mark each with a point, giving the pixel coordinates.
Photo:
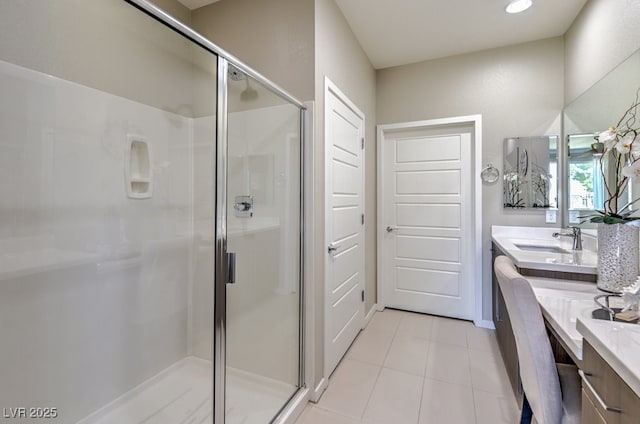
(339, 57)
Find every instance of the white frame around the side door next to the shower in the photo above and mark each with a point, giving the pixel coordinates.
(332, 89)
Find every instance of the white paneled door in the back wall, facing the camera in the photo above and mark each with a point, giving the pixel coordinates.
(427, 233)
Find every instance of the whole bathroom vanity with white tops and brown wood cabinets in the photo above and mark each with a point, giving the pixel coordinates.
(605, 352)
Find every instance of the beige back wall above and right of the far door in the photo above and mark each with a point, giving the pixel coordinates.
(518, 90)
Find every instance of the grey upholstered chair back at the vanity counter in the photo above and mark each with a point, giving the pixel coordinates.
(538, 370)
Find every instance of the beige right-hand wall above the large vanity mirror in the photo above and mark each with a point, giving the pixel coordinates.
(603, 35)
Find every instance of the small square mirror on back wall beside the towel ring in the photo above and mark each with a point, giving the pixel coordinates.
(530, 172)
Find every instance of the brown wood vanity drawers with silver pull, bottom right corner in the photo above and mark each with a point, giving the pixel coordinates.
(603, 386)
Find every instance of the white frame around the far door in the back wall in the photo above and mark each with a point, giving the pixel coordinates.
(476, 151)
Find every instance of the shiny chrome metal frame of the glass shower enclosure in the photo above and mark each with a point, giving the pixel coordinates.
(221, 257)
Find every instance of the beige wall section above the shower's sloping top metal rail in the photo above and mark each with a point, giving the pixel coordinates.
(275, 38)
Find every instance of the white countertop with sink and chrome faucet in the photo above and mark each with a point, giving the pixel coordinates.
(581, 262)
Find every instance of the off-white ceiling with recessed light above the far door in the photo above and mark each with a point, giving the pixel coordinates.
(398, 32)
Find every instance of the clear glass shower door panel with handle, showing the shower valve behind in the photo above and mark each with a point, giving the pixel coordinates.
(263, 231)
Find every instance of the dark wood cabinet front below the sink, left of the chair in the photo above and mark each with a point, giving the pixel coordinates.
(504, 333)
